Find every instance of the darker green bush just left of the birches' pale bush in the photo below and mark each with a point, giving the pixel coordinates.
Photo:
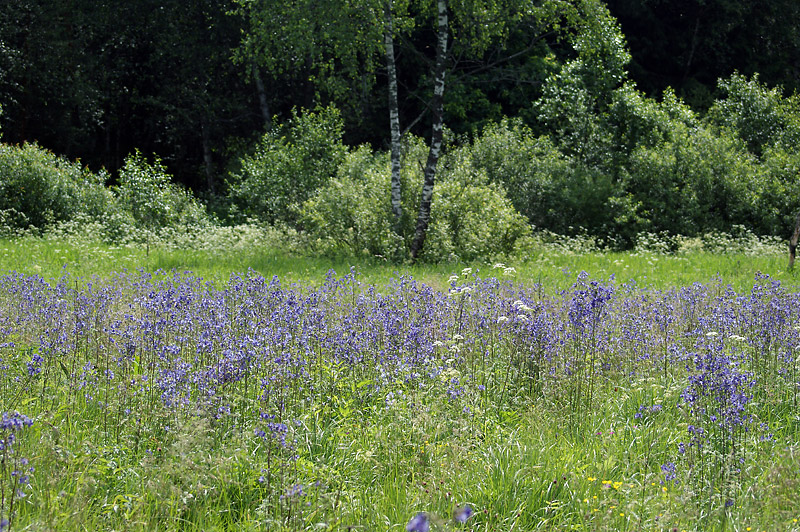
(288, 165)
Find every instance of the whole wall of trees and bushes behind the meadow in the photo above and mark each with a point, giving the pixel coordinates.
(551, 121)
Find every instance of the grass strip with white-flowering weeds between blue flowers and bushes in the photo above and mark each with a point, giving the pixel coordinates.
(552, 263)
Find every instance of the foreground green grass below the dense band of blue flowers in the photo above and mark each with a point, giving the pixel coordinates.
(520, 469)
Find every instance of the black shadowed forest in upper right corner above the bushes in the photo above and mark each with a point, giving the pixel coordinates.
(689, 45)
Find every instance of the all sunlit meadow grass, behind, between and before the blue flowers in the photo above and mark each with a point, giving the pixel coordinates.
(370, 457)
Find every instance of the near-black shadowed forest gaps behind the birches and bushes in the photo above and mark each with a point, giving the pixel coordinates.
(95, 80)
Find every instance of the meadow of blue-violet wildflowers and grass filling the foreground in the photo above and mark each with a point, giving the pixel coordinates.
(162, 401)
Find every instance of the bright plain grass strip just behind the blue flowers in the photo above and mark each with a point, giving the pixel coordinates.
(556, 270)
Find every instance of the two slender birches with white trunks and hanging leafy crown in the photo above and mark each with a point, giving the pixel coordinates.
(332, 42)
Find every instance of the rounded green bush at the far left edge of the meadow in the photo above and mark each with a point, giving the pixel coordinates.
(37, 188)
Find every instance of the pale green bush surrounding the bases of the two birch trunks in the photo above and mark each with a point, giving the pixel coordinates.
(470, 217)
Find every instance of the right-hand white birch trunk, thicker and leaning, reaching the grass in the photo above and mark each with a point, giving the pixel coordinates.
(437, 106)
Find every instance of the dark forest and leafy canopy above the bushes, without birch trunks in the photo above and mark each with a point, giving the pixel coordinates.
(97, 80)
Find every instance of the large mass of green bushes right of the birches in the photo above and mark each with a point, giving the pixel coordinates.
(666, 169)
